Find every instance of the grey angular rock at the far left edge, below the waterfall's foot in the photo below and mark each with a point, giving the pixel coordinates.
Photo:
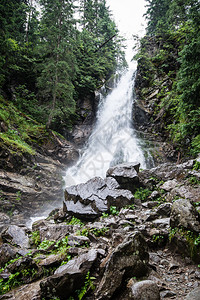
(16, 236)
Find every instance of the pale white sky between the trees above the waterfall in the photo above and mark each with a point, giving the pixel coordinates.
(128, 15)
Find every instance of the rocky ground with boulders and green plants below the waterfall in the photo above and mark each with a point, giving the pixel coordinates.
(134, 235)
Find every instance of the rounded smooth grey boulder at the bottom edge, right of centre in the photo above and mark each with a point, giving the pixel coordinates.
(143, 290)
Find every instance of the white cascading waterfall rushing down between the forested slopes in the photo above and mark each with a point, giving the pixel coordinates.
(113, 139)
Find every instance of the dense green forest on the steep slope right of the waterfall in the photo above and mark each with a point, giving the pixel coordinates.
(169, 65)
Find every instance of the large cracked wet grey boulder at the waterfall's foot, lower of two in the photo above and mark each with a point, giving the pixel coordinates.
(89, 200)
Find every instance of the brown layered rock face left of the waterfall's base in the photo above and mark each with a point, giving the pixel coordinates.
(28, 187)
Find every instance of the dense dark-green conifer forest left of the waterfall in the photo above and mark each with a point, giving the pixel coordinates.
(52, 52)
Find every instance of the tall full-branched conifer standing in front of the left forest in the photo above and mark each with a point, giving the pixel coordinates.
(57, 59)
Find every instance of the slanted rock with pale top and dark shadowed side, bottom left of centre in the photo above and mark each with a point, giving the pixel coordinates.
(68, 278)
